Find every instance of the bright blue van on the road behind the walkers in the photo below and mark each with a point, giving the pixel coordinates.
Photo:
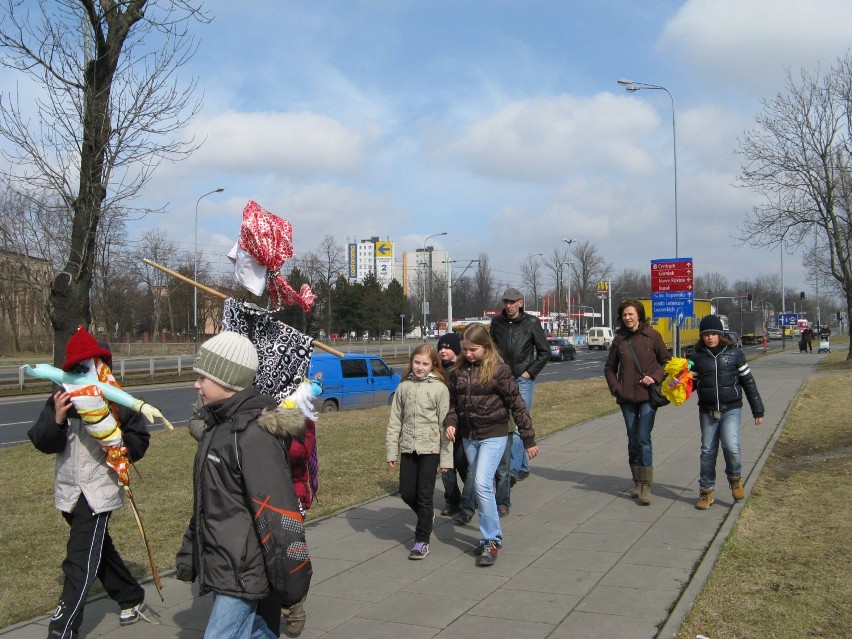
(353, 381)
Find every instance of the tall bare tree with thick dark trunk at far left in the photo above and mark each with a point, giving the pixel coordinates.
(109, 110)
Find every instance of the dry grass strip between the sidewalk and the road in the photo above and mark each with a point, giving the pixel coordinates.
(352, 470)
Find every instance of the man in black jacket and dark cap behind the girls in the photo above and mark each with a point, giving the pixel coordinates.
(522, 344)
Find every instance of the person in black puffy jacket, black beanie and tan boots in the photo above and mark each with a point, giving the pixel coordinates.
(722, 376)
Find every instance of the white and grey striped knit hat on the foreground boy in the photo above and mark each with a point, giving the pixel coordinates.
(228, 359)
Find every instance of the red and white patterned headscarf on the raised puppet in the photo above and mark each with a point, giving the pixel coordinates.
(268, 239)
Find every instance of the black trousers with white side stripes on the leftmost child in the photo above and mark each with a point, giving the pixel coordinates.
(90, 554)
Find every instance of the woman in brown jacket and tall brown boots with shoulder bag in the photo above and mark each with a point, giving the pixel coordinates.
(636, 360)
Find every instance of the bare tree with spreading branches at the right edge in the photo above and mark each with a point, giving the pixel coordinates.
(799, 159)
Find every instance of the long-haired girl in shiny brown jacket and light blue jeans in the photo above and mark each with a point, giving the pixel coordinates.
(483, 394)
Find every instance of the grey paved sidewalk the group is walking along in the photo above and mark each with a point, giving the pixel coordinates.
(580, 558)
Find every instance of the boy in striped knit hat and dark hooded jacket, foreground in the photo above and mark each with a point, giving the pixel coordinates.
(246, 538)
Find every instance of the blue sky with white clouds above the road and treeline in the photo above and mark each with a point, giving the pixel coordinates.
(497, 121)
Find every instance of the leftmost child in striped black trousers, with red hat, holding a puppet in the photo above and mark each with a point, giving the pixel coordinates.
(87, 489)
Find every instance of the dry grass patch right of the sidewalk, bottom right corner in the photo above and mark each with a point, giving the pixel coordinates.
(784, 571)
